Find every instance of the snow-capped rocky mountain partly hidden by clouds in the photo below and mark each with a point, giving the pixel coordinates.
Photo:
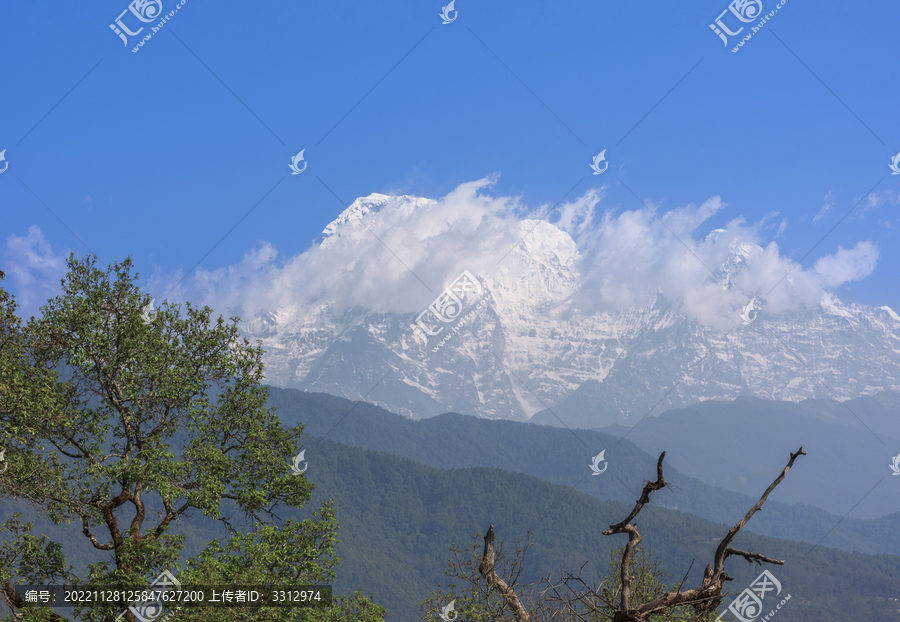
(516, 347)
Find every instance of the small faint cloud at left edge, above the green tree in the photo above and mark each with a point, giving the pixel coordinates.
(34, 269)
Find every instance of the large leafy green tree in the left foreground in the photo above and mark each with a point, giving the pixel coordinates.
(160, 415)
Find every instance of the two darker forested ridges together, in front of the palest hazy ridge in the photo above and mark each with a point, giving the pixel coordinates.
(405, 490)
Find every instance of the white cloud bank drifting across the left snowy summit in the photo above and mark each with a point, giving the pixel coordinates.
(409, 250)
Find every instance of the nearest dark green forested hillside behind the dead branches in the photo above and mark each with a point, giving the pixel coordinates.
(398, 518)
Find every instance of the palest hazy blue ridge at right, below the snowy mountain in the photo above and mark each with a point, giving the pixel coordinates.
(845, 461)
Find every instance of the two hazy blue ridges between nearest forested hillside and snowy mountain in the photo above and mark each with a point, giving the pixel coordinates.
(560, 456)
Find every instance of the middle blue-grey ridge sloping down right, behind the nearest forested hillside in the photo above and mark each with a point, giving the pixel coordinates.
(562, 457)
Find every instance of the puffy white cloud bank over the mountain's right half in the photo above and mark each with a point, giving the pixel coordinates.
(631, 257)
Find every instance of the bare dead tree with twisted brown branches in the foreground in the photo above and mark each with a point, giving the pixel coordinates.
(704, 599)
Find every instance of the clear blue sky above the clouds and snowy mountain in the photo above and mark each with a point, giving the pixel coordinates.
(158, 154)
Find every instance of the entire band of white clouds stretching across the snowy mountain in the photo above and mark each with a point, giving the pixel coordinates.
(624, 258)
